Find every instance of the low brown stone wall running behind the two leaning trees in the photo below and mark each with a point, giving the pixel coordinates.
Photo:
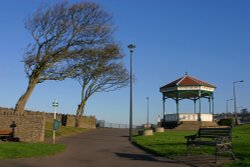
(31, 124)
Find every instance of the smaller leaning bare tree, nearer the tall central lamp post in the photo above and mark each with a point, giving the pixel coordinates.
(103, 73)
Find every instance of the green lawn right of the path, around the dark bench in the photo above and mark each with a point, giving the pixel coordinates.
(171, 143)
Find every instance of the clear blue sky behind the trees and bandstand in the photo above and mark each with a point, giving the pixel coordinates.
(209, 39)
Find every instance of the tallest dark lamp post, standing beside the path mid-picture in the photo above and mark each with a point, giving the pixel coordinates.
(131, 49)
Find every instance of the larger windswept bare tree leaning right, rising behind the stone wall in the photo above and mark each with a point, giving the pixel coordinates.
(62, 33)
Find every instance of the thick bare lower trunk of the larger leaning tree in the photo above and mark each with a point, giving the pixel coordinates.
(20, 105)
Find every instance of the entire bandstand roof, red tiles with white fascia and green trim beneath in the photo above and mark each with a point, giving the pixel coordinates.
(187, 87)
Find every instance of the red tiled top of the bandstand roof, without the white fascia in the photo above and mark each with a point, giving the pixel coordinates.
(187, 81)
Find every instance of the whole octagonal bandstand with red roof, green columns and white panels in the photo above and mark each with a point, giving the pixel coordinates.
(188, 87)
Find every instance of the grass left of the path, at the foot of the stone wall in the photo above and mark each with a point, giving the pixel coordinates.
(11, 150)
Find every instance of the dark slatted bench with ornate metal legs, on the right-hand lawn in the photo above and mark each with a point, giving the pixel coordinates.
(218, 137)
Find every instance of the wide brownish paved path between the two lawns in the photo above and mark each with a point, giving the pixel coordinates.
(97, 148)
